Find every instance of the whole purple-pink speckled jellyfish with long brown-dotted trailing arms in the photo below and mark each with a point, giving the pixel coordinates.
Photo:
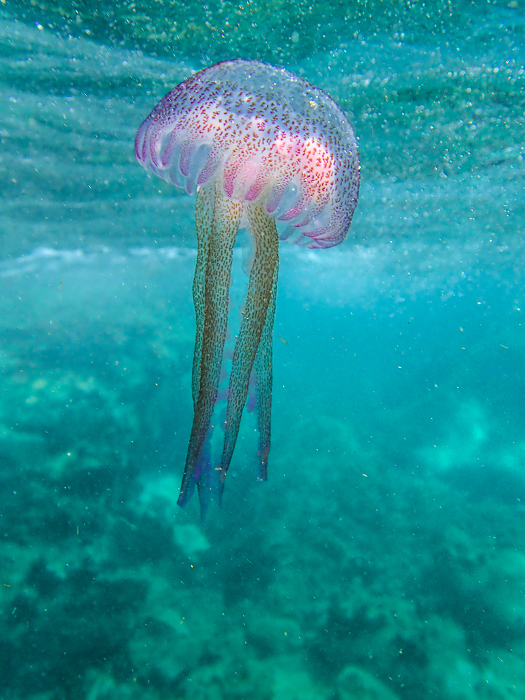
(265, 151)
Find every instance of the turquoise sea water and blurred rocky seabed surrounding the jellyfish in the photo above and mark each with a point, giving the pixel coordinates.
(384, 558)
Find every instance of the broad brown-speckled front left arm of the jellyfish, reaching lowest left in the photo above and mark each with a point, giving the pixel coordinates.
(226, 219)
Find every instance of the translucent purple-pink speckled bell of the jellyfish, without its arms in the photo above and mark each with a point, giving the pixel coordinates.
(266, 135)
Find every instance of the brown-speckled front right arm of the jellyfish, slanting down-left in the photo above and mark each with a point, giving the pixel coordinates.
(256, 324)
